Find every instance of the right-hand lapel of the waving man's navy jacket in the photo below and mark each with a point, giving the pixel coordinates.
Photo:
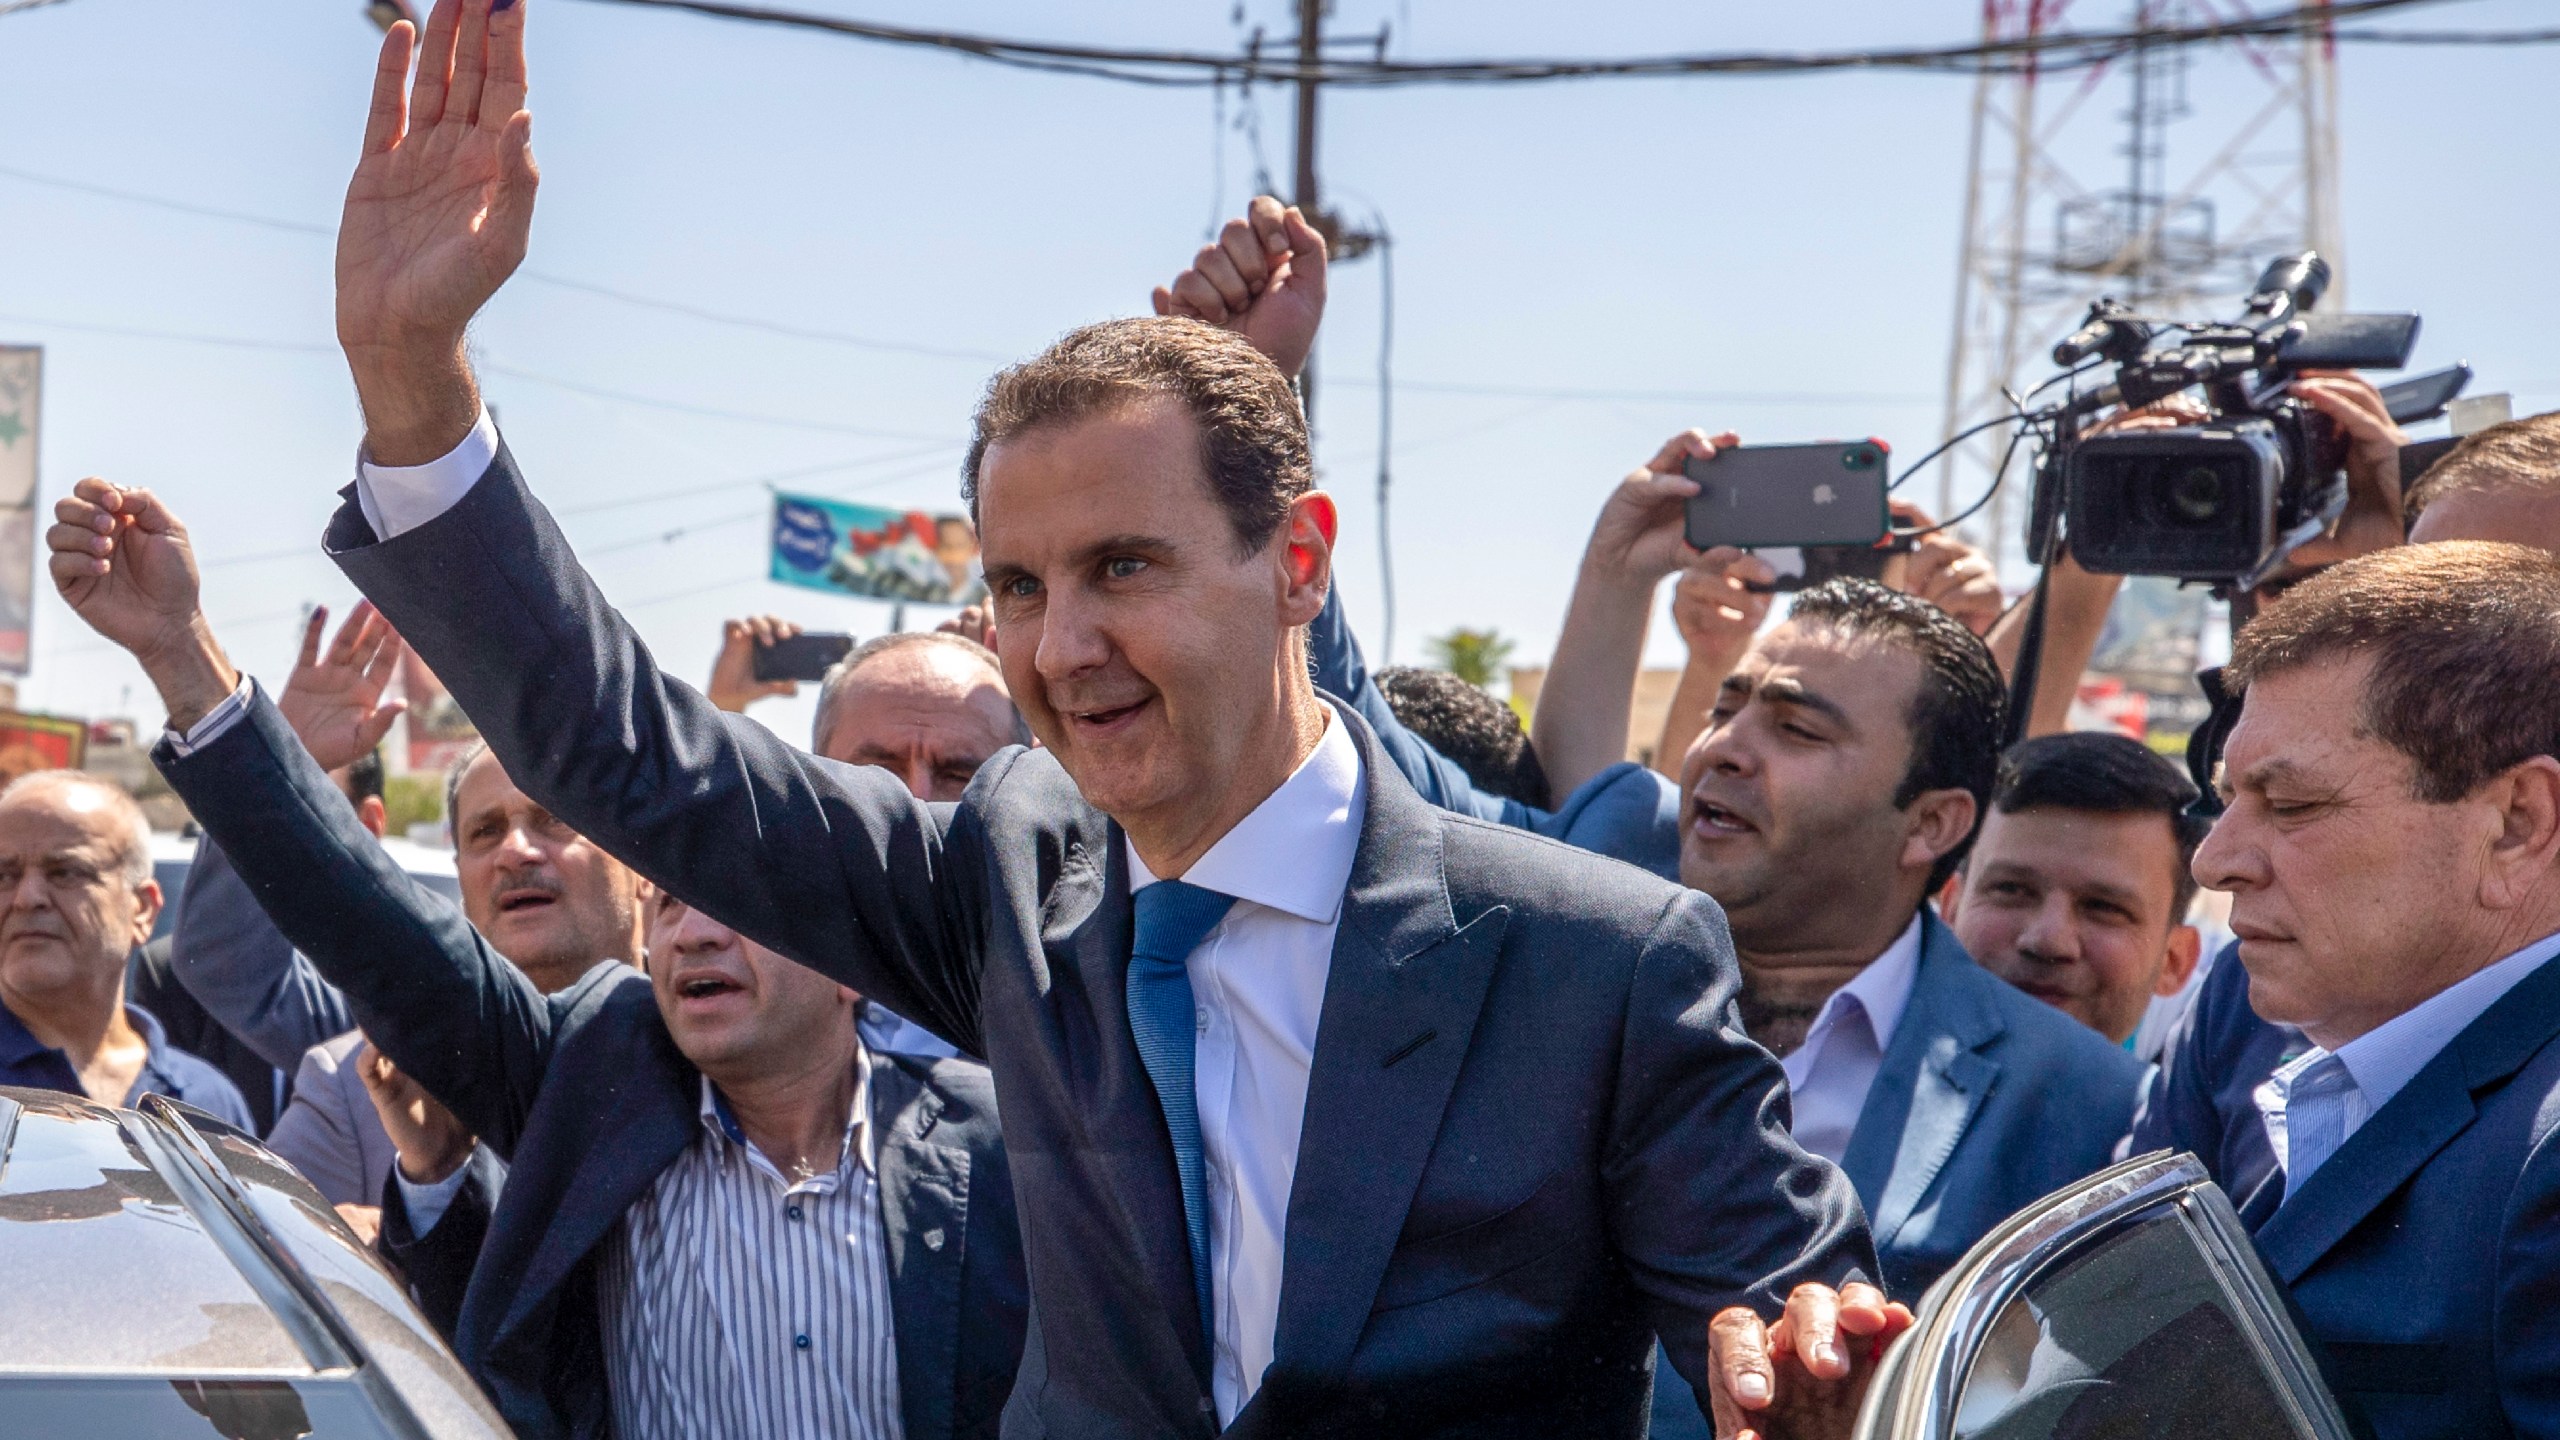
(1399, 1013)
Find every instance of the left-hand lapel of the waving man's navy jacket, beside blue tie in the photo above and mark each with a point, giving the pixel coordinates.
(1084, 934)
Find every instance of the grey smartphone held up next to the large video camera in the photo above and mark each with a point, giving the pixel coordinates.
(1791, 496)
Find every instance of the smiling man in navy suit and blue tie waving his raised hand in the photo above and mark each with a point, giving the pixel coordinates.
(1373, 1121)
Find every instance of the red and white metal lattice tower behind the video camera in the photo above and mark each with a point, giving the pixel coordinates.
(2075, 191)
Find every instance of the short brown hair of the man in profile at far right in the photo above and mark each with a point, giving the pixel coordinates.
(2467, 655)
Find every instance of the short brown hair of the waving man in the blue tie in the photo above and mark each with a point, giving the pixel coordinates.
(1253, 434)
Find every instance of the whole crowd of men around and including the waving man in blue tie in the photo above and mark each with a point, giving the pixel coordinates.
(1133, 1016)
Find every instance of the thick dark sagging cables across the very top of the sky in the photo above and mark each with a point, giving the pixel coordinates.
(1179, 68)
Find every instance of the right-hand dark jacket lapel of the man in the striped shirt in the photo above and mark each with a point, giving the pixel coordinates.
(925, 1218)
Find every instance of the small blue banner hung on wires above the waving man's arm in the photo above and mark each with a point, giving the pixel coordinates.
(872, 552)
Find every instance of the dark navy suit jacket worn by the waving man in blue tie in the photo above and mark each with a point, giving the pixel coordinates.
(1535, 1129)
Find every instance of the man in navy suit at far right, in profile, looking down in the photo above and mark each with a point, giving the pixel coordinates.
(2392, 849)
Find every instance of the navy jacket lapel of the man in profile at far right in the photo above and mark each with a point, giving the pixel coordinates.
(2420, 1121)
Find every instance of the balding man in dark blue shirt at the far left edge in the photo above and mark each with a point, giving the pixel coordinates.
(76, 901)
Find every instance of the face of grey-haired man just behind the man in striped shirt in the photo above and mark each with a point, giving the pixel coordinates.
(544, 896)
